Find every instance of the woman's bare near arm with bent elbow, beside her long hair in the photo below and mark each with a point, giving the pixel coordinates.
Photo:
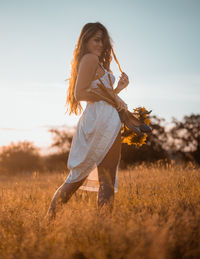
(86, 73)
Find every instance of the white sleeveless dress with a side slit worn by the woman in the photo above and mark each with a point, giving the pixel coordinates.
(96, 131)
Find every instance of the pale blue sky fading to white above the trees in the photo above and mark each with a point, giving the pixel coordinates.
(156, 42)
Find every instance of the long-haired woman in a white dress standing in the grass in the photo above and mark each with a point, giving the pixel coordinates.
(97, 141)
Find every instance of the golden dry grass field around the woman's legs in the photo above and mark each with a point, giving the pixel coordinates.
(156, 216)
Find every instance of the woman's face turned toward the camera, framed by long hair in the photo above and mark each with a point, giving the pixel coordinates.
(95, 44)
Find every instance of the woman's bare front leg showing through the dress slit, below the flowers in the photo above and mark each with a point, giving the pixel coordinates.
(107, 173)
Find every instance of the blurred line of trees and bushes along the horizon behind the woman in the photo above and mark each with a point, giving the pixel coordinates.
(179, 143)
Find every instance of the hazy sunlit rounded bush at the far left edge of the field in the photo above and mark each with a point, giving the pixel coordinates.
(20, 157)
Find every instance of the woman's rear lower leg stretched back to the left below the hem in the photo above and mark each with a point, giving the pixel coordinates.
(62, 195)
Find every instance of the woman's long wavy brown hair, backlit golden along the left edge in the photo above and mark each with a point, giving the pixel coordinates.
(88, 30)
